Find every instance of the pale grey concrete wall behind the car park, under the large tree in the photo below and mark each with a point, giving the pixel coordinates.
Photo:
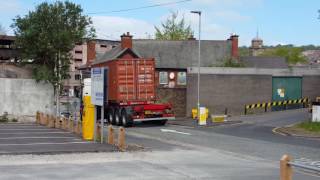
(23, 97)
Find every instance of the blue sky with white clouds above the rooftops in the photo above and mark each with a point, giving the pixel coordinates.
(279, 21)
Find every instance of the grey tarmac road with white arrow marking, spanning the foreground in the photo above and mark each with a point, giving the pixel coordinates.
(179, 152)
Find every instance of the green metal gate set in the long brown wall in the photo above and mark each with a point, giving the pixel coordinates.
(286, 88)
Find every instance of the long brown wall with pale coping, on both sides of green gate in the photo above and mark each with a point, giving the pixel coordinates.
(232, 88)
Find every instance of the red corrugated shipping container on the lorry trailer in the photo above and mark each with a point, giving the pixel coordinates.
(130, 80)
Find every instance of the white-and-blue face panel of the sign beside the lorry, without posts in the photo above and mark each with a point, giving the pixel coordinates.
(97, 86)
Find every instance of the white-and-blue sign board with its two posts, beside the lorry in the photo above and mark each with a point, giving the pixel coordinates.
(98, 96)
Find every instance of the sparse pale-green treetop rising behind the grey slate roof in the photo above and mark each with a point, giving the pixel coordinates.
(173, 29)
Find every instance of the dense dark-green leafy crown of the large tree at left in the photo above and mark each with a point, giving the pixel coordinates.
(48, 34)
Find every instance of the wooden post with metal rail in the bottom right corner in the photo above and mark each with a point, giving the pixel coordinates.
(287, 165)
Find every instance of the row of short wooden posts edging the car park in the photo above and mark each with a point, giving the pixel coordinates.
(75, 127)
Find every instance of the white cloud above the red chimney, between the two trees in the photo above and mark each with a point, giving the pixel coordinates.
(112, 27)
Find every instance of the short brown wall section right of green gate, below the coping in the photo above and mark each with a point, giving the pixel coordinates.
(311, 87)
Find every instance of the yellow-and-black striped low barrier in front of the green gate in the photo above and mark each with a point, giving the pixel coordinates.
(303, 101)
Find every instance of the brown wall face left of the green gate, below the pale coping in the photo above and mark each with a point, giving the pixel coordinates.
(218, 92)
